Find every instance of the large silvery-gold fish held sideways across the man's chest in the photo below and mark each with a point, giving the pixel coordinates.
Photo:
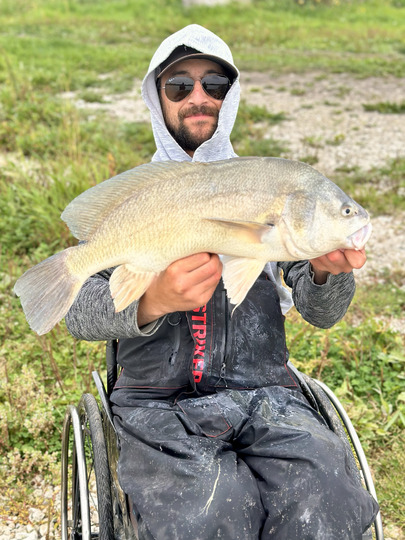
(252, 210)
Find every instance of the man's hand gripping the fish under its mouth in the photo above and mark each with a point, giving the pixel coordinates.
(337, 262)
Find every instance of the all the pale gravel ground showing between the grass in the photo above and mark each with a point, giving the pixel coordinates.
(326, 119)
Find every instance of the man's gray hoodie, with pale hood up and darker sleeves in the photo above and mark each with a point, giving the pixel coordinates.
(93, 317)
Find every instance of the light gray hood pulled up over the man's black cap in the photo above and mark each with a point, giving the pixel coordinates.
(219, 146)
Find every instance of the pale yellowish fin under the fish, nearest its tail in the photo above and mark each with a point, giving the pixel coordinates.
(127, 284)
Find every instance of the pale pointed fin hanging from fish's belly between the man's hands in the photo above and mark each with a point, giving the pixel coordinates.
(239, 275)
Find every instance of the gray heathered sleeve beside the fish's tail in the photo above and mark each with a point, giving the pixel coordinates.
(92, 316)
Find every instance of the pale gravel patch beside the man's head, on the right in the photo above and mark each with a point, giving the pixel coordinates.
(326, 118)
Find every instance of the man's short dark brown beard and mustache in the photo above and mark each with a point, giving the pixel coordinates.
(184, 137)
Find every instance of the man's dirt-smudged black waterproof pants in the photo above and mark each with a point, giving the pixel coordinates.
(239, 465)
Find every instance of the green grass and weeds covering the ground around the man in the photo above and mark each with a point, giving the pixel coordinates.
(50, 152)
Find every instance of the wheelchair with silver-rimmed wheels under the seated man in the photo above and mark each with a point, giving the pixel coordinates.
(93, 505)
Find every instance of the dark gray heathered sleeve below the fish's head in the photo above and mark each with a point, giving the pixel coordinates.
(320, 305)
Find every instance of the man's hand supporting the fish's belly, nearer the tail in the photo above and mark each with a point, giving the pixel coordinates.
(186, 284)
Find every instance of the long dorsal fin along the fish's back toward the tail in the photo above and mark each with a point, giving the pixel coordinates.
(85, 213)
